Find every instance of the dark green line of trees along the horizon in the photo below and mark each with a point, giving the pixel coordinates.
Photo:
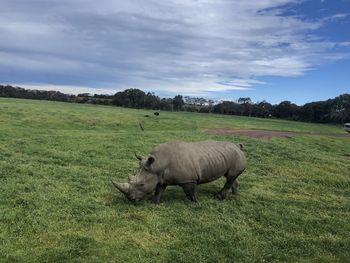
(336, 110)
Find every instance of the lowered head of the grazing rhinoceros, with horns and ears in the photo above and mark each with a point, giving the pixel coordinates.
(139, 186)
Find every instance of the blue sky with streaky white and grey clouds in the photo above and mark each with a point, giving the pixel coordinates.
(270, 50)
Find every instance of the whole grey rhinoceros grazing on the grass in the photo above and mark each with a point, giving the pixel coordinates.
(186, 164)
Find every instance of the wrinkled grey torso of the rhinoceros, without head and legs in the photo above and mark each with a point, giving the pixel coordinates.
(182, 162)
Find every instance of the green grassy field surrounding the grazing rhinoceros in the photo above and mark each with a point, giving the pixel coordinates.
(57, 203)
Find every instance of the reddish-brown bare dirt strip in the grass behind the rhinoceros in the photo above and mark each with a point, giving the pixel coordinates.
(267, 134)
